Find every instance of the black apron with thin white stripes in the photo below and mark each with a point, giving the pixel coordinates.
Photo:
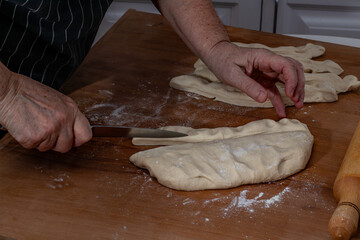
(47, 40)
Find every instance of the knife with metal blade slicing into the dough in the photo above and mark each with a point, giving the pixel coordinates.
(120, 131)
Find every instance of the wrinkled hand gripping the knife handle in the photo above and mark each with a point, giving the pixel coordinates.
(38, 116)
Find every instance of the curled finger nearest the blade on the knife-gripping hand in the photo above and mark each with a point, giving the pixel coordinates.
(82, 130)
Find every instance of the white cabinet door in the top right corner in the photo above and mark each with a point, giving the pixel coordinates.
(319, 17)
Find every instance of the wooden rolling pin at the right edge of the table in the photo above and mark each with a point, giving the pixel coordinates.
(344, 222)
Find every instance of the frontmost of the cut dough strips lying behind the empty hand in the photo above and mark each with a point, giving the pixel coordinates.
(319, 87)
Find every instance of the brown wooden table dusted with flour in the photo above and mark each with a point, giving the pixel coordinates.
(94, 192)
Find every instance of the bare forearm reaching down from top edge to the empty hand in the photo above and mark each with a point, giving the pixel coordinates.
(197, 24)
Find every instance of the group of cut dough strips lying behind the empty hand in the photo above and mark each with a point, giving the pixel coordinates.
(322, 81)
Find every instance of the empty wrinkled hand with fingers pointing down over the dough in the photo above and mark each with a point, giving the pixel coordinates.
(255, 72)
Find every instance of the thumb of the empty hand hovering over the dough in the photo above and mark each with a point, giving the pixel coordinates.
(249, 86)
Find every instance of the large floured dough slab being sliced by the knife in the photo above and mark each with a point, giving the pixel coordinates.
(260, 151)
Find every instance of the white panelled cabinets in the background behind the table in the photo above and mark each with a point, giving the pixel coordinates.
(310, 17)
